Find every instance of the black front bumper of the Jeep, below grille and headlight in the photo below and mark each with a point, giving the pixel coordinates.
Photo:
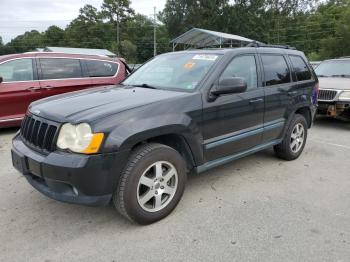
(72, 178)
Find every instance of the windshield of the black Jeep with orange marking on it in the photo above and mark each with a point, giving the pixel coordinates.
(173, 71)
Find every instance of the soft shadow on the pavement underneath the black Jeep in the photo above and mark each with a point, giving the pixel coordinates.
(107, 217)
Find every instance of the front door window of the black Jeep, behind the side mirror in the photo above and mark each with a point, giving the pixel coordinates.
(242, 66)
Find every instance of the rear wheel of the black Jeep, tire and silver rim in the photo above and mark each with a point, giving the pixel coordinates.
(294, 140)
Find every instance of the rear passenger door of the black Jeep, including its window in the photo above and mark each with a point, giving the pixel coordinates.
(279, 92)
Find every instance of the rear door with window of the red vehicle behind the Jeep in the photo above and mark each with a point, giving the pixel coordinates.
(61, 75)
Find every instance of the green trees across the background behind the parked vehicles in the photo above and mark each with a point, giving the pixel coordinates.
(320, 28)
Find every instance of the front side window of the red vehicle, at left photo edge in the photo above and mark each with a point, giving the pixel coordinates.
(17, 70)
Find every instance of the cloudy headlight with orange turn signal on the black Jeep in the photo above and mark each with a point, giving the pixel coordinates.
(79, 138)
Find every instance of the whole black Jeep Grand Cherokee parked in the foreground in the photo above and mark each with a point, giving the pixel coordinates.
(194, 110)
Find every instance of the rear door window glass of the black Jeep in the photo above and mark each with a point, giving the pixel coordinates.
(276, 70)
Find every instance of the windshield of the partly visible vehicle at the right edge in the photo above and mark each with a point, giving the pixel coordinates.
(337, 68)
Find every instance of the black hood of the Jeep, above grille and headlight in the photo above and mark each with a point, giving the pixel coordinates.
(90, 105)
